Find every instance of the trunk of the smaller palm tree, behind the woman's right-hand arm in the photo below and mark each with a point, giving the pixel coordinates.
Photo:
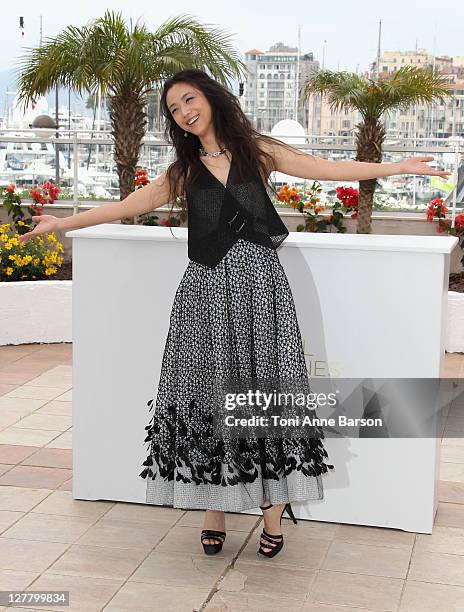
(369, 140)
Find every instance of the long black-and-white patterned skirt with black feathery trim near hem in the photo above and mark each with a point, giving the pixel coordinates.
(237, 319)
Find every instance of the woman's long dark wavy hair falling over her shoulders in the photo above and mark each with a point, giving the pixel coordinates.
(231, 127)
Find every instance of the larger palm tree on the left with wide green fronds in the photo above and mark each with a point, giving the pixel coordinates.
(127, 63)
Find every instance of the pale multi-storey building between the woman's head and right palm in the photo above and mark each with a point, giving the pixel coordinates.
(270, 91)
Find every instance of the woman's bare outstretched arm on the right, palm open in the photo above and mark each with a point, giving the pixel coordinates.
(297, 163)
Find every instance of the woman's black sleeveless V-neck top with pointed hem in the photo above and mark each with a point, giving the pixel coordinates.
(219, 215)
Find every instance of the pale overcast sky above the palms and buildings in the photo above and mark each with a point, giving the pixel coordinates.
(350, 29)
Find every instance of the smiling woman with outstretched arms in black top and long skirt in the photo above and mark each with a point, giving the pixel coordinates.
(233, 314)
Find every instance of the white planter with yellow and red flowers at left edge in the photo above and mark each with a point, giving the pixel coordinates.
(33, 306)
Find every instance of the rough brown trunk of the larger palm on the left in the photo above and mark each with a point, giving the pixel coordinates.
(128, 122)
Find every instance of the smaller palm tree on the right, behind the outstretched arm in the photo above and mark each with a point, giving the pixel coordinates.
(372, 98)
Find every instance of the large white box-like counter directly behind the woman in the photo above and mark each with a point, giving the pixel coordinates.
(368, 306)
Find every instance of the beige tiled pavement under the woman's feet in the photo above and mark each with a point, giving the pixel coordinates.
(120, 557)
